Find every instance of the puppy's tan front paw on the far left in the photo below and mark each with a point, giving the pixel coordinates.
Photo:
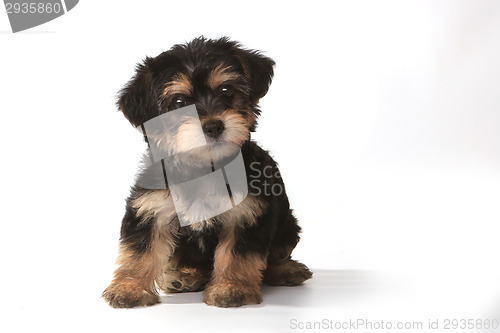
(125, 295)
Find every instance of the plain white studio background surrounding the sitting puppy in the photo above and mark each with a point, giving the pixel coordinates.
(384, 117)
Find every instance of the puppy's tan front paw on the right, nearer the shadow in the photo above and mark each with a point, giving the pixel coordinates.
(226, 295)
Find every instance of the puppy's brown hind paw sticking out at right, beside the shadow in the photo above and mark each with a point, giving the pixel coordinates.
(287, 272)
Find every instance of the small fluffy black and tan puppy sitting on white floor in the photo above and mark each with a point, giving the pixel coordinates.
(230, 255)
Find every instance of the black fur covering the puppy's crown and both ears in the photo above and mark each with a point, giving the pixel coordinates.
(139, 99)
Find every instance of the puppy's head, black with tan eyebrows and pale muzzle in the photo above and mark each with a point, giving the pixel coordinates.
(223, 81)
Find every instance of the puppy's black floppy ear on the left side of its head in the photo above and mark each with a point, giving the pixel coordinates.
(138, 100)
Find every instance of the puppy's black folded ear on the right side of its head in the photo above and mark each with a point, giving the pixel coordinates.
(259, 71)
